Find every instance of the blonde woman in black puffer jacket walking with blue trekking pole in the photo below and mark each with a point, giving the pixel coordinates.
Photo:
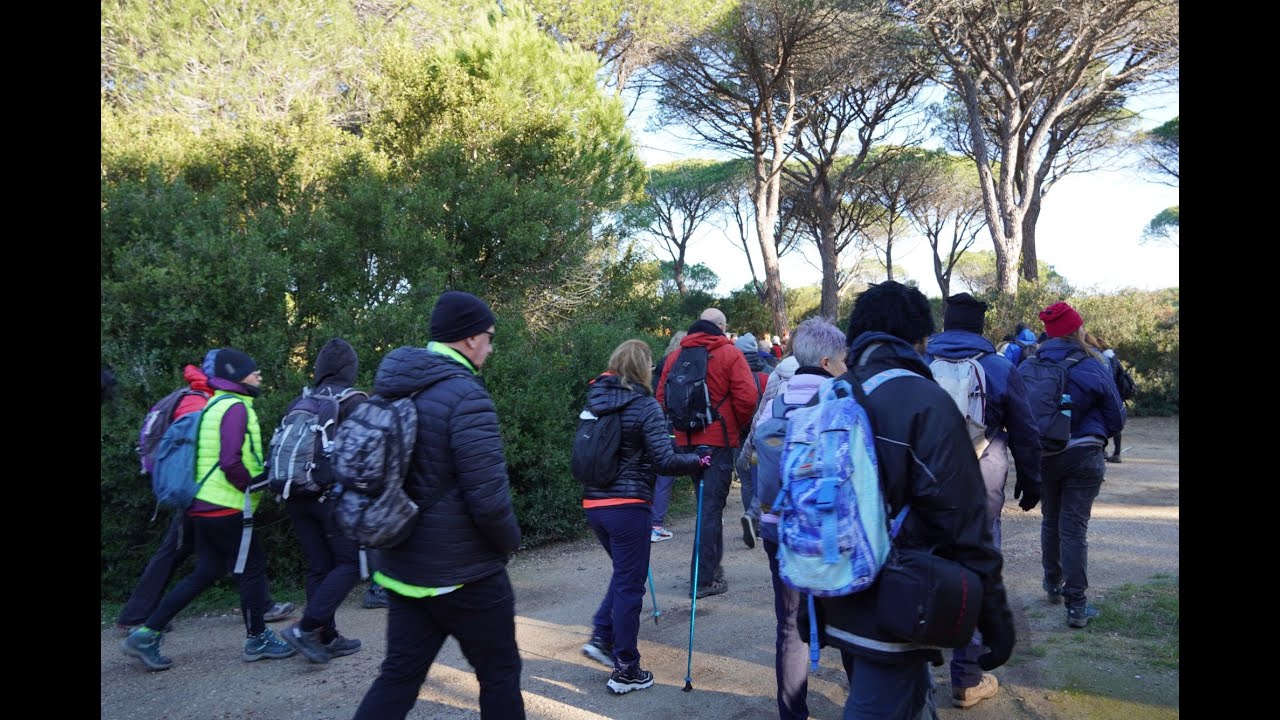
(620, 513)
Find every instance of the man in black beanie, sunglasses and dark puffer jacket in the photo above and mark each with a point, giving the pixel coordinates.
(450, 576)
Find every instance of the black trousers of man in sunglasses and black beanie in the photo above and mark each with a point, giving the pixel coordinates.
(482, 616)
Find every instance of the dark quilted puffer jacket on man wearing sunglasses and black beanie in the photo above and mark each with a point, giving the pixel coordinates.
(458, 473)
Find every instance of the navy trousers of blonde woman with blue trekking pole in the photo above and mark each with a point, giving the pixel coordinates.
(624, 531)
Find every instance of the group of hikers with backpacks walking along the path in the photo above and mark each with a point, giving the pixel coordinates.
(711, 409)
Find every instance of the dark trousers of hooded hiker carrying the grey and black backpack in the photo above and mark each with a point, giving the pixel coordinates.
(333, 564)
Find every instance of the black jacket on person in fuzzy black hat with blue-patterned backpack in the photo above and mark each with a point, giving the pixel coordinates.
(927, 461)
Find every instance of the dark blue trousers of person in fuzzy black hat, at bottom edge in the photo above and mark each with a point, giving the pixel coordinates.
(880, 691)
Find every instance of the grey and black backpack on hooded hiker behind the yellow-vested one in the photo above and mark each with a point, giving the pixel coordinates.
(301, 448)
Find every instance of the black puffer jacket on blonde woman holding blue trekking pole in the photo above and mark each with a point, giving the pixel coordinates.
(646, 449)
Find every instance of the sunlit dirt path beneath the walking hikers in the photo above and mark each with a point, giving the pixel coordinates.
(1132, 537)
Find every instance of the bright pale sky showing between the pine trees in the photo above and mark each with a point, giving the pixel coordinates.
(1090, 226)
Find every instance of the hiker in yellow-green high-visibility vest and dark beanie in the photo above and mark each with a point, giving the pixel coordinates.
(231, 454)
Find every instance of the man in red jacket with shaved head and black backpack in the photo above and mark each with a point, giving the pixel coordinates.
(733, 403)
